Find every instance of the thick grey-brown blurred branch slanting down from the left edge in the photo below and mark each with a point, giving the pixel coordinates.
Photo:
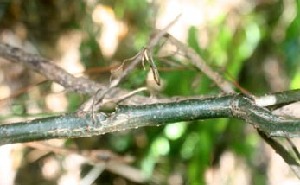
(52, 72)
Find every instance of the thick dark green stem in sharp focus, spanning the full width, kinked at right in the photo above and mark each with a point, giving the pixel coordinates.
(81, 124)
